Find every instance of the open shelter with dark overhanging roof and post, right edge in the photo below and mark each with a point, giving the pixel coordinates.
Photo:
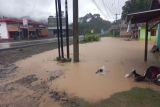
(151, 19)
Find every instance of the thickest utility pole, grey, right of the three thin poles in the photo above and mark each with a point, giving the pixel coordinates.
(75, 32)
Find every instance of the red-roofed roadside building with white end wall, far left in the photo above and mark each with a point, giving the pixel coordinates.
(21, 29)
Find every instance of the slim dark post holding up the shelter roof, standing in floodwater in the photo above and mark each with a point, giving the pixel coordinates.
(146, 43)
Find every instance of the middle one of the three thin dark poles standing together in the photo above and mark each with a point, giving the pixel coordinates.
(60, 22)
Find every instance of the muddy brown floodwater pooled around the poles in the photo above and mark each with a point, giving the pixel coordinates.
(79, 79)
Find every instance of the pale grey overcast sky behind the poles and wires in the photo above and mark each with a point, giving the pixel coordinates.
(41, 9)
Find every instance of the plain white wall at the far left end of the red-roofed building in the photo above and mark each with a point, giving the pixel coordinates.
(3, 31)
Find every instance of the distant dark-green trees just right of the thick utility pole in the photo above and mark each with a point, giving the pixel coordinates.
(93, 23)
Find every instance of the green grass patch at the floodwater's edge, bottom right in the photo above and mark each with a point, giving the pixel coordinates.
(136, 97)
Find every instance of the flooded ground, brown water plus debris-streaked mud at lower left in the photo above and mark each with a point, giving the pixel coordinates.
(39, 76)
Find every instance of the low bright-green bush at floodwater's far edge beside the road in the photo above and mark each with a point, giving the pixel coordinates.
(91, 38)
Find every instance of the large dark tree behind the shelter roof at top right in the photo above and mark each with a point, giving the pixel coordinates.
(132, 6)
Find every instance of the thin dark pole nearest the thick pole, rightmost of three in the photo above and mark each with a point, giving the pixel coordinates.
(67, 33)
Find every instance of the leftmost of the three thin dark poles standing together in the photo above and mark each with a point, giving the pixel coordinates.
(59, 50)
